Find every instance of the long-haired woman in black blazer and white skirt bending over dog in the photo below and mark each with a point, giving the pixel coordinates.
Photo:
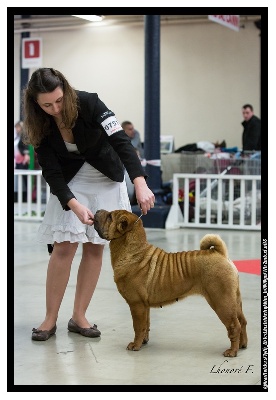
(82, 151)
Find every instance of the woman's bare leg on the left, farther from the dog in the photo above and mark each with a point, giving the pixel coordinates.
(58, 274)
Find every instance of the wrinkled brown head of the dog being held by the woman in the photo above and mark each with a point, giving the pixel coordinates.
(114, 224)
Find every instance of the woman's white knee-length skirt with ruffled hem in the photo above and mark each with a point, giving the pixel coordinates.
(95, 191)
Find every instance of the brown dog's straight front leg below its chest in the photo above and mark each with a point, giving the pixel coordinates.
(140, 318)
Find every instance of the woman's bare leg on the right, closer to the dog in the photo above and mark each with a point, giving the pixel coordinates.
(88, 275)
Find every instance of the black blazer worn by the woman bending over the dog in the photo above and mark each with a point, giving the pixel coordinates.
(108, 152)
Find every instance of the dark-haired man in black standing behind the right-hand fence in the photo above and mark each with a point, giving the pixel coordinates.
(251, 136)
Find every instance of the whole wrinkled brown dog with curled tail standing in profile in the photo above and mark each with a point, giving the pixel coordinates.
(147, 276)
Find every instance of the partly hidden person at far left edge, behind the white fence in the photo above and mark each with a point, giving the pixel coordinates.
(21, 156)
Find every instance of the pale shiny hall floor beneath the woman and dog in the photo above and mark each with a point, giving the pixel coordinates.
(186, 342)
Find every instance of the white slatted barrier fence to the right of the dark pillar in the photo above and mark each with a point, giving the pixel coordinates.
(215, 201)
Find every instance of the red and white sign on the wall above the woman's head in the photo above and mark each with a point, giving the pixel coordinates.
(31, 52)
